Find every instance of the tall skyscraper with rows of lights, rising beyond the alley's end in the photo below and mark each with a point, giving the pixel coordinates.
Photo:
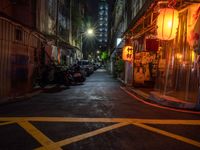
(102, 33)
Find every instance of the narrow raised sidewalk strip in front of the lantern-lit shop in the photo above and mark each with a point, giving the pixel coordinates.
(155, 97)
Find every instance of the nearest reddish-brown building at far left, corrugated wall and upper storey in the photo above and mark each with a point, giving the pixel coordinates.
(19, 42)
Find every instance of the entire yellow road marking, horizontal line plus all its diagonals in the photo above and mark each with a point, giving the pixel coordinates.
(48, 144)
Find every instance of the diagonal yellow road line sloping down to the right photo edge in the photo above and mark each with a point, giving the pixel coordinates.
(168, 134)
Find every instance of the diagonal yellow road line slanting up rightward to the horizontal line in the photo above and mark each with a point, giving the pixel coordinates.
(88, 134)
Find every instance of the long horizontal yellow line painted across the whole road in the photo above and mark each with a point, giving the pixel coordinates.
(112, 120)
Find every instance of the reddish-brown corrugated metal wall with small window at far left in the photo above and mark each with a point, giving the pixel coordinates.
(16, 55)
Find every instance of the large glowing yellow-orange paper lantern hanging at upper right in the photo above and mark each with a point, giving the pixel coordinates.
(167, 24)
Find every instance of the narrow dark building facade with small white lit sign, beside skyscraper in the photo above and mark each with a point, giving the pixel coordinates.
(117, 25)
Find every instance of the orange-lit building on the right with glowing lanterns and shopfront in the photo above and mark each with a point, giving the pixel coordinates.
(168, 67)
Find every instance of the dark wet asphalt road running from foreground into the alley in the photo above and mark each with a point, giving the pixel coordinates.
(99, 97)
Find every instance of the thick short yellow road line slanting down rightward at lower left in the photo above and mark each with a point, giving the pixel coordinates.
(39, 136)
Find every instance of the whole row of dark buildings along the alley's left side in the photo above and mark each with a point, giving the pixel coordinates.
(33, 34)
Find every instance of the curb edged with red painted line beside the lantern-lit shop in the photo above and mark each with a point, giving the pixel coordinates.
(161, 102)
